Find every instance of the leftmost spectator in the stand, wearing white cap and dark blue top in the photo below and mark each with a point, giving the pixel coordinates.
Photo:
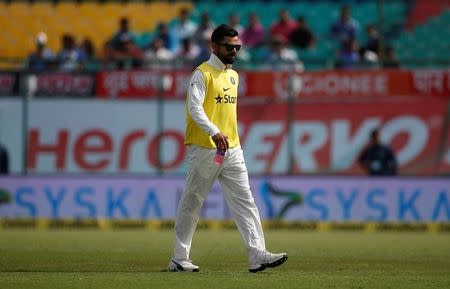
(42, 58)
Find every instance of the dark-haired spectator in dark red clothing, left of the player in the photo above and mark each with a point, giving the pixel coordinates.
(122, 49)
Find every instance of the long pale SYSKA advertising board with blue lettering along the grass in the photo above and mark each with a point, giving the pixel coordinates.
(290, 198)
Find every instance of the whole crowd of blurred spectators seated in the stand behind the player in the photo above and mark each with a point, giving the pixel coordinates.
(186, 41)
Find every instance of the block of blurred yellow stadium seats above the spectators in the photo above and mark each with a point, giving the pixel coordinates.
(21, 21)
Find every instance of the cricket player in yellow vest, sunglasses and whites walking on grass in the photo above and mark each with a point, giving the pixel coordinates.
(211, 126)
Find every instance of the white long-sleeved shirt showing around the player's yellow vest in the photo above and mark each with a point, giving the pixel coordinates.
(196, 97)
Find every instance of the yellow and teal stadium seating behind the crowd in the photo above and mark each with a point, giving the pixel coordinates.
(97, 20)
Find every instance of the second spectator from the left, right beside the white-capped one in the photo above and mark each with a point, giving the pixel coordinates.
(70, 56)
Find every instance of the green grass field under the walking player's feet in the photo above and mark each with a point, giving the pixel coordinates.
(136, 259)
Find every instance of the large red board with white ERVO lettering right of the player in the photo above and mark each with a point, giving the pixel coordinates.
(328, 137)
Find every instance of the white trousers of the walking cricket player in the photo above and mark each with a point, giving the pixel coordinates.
(233, 178)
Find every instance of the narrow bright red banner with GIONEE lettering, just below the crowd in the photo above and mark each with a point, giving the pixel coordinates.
(371, 85)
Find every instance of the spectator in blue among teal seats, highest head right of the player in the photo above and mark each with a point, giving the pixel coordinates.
(345, 28)
